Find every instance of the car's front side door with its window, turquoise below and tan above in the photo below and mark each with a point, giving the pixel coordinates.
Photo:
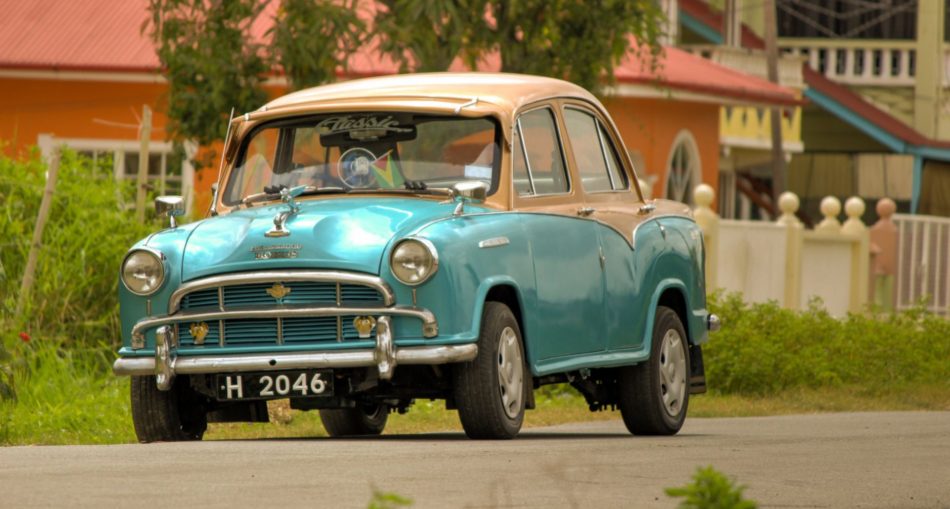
(567, 319)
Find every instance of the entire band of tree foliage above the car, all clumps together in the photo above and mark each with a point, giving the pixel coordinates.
(213, 62)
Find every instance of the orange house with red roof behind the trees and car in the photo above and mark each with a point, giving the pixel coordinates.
(79, 73)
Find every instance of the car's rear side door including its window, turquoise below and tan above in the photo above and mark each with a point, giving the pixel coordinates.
(611, 202)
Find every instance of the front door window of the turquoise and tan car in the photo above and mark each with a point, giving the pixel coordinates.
(538, 161)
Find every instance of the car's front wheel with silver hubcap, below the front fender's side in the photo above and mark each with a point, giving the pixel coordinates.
(490, 390)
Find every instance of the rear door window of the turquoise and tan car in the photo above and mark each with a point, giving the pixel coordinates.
(596, 159)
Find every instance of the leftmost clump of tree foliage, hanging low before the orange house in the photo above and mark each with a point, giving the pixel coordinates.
(211, 62)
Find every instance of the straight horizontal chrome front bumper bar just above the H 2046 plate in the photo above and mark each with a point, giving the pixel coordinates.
(140, 366)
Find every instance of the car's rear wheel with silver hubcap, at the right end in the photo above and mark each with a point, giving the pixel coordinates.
(654, 395)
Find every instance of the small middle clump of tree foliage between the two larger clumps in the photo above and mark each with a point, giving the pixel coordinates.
(311, 38)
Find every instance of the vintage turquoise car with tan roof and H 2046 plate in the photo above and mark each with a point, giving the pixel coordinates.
(460, 237)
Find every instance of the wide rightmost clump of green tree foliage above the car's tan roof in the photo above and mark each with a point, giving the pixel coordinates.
(580, 41)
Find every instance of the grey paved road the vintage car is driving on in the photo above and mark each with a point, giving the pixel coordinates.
(830, 460)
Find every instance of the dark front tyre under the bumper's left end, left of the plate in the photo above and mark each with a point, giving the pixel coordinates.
(174, 415)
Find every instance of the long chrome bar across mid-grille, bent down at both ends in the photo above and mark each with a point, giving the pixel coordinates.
(430, 327)
